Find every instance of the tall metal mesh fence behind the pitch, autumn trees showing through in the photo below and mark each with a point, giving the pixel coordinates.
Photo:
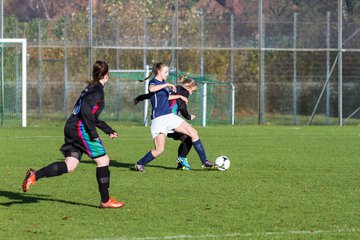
(289, 62)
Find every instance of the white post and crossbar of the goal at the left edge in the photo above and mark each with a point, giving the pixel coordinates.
(23, 43)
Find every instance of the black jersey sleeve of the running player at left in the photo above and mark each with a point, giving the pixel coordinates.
(86, 113)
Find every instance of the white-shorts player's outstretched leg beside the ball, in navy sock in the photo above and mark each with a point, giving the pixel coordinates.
(187, 129)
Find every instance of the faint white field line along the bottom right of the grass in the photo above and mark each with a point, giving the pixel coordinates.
(236, 235)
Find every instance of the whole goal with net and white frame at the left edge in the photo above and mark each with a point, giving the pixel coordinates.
(13, 82)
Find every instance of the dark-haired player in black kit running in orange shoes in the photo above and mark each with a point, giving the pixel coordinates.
(81, 137)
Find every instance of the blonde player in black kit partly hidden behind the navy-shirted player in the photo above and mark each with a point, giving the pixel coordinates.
(185, 88)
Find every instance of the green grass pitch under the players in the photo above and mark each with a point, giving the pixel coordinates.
(283, 183)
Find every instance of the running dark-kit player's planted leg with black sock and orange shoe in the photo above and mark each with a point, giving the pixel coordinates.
(103, 179)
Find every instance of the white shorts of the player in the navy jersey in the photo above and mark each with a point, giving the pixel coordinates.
(165, 124)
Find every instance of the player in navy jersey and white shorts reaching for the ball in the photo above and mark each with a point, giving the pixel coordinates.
(163, 121)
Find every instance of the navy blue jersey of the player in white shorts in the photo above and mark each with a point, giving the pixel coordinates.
(159, 100)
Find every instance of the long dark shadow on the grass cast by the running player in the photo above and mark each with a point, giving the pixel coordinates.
(22, 198)
